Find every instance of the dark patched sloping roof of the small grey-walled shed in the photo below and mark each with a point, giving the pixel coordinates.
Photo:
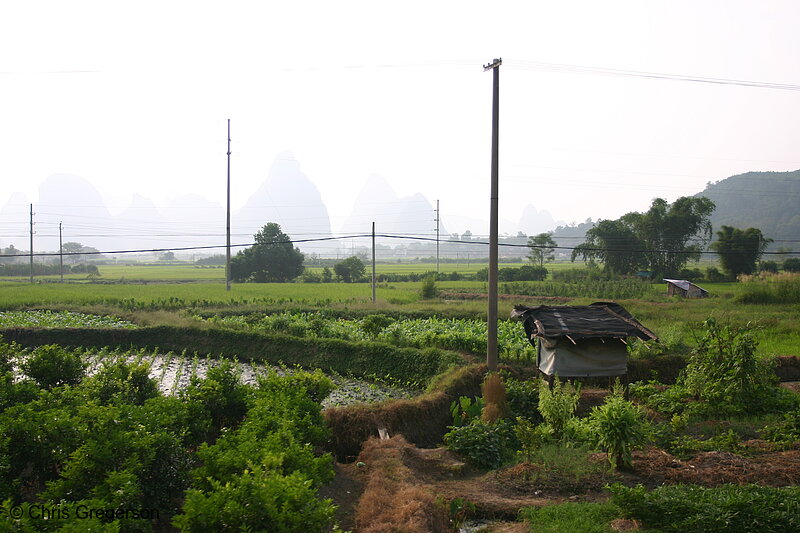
(600, 319)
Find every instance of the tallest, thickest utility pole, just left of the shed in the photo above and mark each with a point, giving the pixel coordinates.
(491, 344)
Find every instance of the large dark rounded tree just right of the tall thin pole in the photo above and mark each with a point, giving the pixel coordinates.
(271, 259)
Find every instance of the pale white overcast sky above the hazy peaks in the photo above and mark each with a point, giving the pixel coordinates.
(134, 97)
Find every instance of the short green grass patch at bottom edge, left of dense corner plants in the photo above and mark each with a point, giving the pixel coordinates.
(583, 517)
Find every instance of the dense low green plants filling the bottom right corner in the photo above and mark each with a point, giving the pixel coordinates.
(689, 508)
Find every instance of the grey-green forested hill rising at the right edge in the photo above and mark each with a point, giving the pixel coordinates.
(769, 201)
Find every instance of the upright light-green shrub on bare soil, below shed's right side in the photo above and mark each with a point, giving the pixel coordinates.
(619, 427)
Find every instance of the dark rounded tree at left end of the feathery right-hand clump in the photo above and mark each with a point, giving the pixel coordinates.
(615, 245)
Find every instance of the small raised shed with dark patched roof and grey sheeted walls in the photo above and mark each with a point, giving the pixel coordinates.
(581, 340)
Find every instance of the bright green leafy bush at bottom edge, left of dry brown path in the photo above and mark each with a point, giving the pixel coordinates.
(257, 499)
